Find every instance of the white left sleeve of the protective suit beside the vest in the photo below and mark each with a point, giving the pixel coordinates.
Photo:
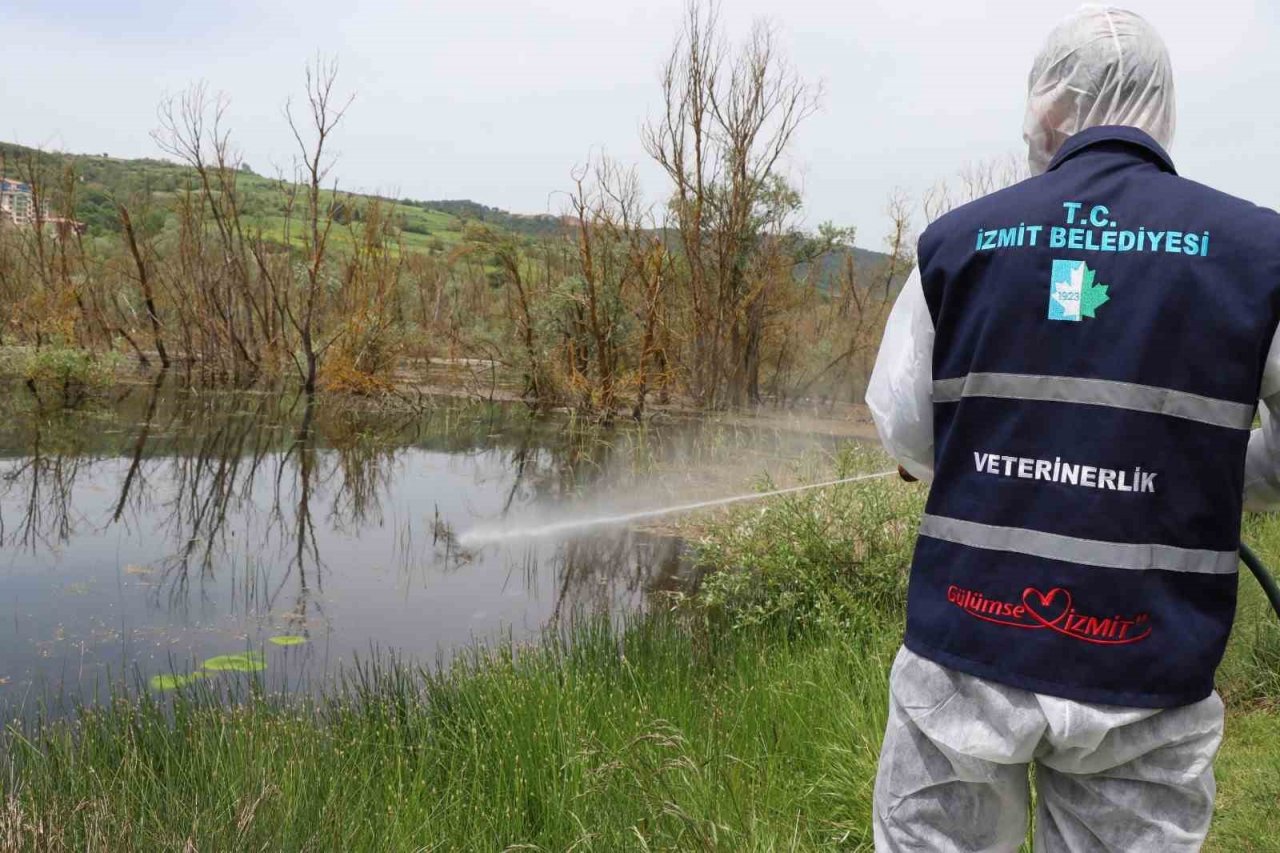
(900, 394)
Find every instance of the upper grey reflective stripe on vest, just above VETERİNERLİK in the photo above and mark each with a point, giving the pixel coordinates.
(1098, 393)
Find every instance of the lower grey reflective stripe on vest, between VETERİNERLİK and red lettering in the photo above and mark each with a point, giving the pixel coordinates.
(1091, 553)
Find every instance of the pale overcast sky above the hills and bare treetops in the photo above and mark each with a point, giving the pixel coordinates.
(500, 101)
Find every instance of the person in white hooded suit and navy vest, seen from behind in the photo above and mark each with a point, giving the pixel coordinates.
(1076, 368)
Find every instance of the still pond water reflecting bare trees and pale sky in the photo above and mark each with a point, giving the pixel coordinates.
(162, 527)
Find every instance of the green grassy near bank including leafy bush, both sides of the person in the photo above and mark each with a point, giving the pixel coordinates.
(749, 720)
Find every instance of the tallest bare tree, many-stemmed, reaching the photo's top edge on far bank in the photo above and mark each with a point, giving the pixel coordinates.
(728, 121)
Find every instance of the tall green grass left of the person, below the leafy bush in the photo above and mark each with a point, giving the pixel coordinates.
(656, 738)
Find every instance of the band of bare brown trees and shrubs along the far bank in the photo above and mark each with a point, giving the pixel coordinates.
(715, 297)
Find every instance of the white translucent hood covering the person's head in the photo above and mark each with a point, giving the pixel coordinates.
(1101, 66)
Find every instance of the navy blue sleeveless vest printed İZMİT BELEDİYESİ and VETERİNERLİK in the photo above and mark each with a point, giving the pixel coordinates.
(1101, 334)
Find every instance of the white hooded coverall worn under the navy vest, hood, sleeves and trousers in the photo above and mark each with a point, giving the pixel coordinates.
(958, 749)
